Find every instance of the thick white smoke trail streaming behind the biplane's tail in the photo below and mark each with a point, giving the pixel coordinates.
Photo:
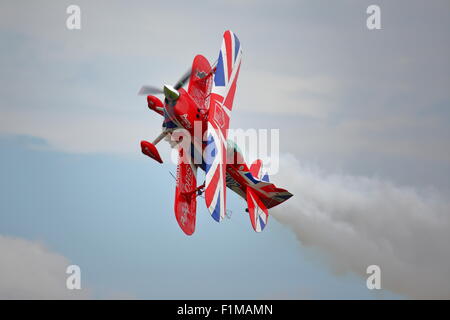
(359, 221)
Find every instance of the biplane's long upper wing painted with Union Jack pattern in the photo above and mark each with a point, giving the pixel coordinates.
(220, 105)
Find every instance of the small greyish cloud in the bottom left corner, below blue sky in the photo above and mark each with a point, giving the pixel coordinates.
(28, 270)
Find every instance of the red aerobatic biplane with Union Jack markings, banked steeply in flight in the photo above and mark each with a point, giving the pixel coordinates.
(208, 101)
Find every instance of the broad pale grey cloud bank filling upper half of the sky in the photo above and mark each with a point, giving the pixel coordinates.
(310, 58)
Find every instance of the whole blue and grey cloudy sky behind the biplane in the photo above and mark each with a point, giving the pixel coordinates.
(75, 189)
